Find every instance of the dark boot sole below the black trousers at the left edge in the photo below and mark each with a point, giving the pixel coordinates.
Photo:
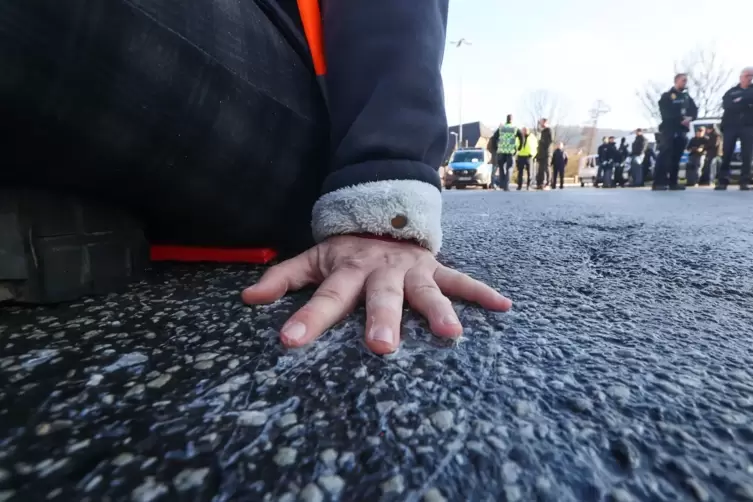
(55, 248)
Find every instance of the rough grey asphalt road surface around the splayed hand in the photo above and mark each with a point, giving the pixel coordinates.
(624, 372)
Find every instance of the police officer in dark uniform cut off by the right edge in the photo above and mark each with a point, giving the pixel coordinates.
(737, 124)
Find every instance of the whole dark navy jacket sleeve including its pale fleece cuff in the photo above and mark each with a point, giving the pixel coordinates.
(388, 129)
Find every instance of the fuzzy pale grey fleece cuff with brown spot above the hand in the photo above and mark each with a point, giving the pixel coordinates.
(403, 209)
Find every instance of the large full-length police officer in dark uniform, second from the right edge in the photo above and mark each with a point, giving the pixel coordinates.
(677, 111)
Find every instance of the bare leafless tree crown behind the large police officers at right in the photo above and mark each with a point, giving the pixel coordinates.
(708, 78)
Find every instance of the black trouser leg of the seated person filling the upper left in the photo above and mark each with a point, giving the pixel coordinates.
(202, 117)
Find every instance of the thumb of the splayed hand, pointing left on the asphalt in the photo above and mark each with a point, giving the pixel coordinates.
(290, 275)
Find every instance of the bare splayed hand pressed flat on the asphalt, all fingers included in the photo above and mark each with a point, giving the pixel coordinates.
(349, 269)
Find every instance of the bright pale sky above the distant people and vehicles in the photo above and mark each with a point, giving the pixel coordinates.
(583, 50)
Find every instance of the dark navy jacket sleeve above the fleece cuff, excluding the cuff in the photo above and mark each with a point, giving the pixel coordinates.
(385, 89)
